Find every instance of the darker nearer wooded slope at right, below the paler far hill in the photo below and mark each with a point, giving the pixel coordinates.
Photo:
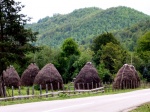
(129, 36)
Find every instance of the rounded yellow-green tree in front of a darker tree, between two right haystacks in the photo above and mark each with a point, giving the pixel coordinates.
(113, 56)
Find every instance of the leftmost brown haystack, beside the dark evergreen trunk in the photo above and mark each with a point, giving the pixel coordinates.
(11, 77)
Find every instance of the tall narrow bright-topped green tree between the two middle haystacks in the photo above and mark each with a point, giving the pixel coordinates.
(70, 53)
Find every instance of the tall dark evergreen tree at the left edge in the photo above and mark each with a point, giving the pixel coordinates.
(15, 40)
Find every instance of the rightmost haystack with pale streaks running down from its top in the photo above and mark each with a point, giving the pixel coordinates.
(127, 77)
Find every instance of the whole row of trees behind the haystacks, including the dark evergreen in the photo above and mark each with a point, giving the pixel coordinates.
(105, 51)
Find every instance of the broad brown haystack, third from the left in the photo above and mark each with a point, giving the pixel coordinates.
(49, 75)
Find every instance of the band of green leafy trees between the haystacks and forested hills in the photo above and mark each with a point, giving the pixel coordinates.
(105, 52)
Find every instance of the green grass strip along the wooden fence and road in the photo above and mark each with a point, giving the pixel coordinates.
(60, 97)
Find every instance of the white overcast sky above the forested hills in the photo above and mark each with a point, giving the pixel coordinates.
(38, 9)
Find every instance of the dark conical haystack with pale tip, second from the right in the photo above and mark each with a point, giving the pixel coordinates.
(87, 78)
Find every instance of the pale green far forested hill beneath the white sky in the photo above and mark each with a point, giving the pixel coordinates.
(84, 24)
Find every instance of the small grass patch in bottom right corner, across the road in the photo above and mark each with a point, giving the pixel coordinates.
(143, 108)
